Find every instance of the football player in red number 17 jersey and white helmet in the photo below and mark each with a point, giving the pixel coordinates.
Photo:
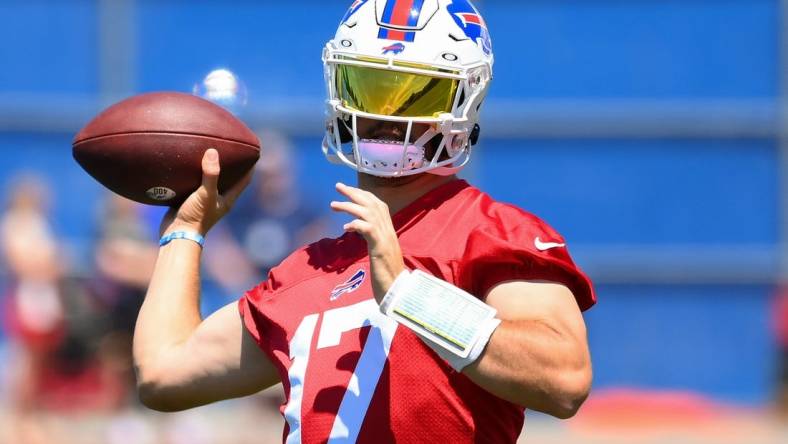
(440, 314)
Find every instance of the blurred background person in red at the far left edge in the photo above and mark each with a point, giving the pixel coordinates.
(34, 309)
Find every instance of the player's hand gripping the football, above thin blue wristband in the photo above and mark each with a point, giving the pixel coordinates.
(204, 207)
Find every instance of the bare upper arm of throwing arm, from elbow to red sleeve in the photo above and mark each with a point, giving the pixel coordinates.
(219, 361)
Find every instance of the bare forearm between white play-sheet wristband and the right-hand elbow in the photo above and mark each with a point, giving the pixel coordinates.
(531, 364)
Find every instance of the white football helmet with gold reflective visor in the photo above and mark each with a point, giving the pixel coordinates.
(406, 80)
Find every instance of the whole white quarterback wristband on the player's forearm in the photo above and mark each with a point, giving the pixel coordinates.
(454, 323)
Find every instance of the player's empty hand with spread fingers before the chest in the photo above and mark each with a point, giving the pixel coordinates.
(373, 222)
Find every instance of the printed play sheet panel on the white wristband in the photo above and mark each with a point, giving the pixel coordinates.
(442, 313)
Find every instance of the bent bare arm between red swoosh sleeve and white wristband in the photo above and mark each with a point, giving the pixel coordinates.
(538, 357)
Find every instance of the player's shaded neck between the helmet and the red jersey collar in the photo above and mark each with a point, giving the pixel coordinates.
(400, 192)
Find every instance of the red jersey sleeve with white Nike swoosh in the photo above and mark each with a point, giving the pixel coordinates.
(507, 250)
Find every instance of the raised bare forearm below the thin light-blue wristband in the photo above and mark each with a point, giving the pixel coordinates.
(170, 313)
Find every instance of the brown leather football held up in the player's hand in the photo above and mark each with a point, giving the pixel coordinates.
(149, 147)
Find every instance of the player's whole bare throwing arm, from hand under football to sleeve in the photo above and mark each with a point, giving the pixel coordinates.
(181, 360)
